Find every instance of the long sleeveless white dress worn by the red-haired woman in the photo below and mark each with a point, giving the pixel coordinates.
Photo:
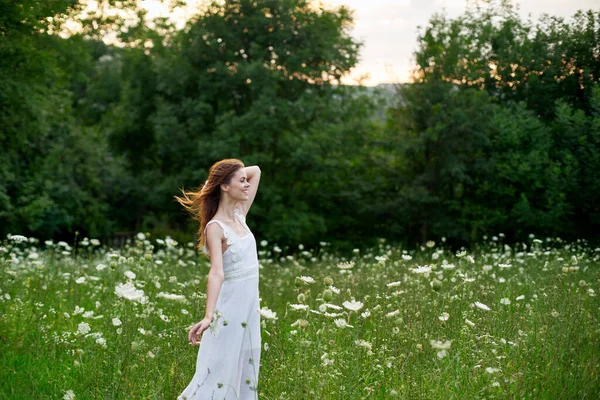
(229, 354)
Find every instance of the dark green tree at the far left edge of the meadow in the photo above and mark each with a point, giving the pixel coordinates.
(49, 166)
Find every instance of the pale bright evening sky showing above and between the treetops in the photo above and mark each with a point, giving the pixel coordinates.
(388, 28)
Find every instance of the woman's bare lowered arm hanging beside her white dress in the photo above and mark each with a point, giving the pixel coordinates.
(215, 280)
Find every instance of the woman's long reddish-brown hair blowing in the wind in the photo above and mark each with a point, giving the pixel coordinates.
(203, 203)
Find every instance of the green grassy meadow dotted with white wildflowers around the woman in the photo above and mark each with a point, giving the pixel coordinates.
(498, 321)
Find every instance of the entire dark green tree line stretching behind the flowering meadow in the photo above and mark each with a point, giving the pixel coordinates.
(498, 132)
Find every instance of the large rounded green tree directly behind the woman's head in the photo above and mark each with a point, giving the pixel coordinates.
(254, 82)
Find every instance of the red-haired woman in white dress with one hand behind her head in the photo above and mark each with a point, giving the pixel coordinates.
(229, 354)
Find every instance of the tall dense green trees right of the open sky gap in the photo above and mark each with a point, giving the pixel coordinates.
(496, 131)
